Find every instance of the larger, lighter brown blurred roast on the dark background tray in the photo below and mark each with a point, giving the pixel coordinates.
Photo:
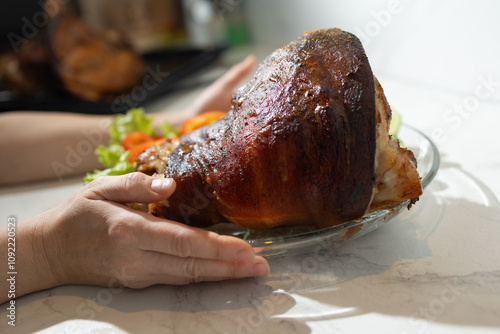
(92, 66)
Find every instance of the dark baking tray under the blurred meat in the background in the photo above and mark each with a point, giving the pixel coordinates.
(179, 64)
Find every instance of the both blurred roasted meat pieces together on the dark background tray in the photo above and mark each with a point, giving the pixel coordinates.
(92, 66)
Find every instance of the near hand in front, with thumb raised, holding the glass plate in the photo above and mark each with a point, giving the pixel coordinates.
(96, 239)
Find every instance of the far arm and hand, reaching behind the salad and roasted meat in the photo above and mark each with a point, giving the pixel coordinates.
(41, 145)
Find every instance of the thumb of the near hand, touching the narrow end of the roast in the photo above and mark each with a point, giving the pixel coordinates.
(131, 188)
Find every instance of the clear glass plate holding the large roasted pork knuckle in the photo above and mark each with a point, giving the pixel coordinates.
(279, 241)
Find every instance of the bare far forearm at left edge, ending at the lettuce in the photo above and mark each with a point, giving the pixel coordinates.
(39, 145)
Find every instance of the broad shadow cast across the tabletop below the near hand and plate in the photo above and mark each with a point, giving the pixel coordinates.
(430, 264)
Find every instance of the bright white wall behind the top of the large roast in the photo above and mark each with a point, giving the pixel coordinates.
(445, 44)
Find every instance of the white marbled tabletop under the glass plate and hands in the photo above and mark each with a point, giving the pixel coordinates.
(433, 269)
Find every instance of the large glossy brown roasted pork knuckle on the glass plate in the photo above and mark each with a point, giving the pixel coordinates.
(305, 143)
